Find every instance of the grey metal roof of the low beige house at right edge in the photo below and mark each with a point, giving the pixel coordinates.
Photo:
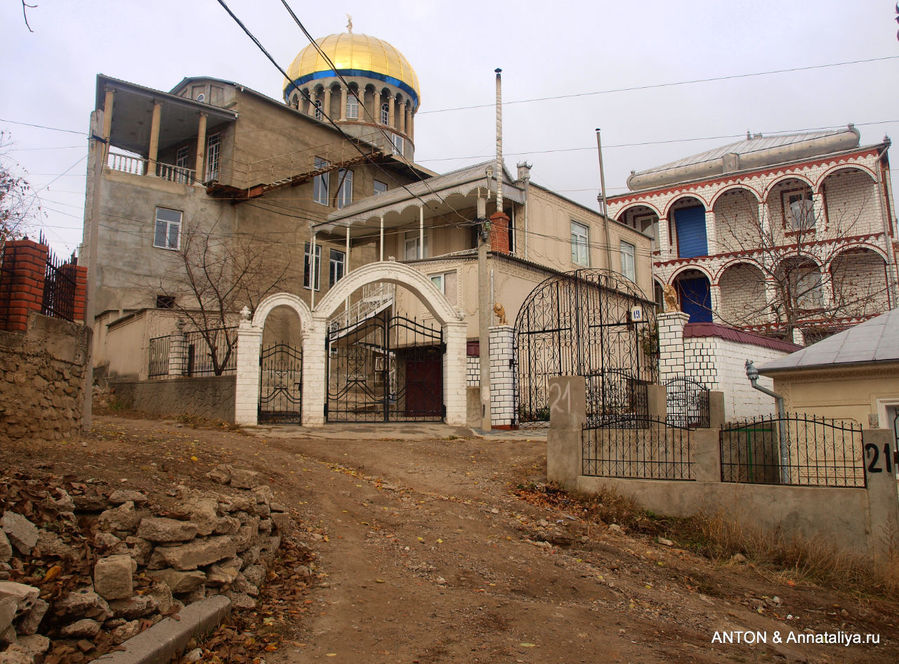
(876, 340)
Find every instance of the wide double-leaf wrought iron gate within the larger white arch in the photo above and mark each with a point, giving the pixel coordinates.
(385, 369)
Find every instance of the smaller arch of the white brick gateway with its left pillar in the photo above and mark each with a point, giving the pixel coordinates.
(249, 342)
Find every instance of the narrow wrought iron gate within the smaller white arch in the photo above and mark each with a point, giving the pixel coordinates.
(280, 384)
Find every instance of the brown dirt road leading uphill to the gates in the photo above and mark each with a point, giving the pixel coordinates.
(426, 555)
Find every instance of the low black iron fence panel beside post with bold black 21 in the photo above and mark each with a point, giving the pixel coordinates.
(799, 450)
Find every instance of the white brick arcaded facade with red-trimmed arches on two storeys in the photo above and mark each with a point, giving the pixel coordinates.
(745, 222)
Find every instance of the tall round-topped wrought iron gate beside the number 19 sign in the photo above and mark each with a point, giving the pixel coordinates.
(592, 323)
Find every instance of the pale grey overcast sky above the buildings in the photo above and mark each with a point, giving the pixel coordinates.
(546, 49)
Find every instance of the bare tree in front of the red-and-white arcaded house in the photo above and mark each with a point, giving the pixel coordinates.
(800, 269)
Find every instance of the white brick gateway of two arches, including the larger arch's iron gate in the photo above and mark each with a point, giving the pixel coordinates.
(352, 372)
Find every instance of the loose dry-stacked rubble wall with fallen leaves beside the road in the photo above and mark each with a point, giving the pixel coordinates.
(90, 567)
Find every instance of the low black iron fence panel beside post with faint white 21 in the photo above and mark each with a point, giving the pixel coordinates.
(637, 448)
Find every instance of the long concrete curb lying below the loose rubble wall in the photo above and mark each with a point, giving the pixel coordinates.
(169, 637)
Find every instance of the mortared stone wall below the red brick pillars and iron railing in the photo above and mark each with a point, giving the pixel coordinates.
(42, 378)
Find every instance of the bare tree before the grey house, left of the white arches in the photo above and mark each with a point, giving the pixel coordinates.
(214, 275)
